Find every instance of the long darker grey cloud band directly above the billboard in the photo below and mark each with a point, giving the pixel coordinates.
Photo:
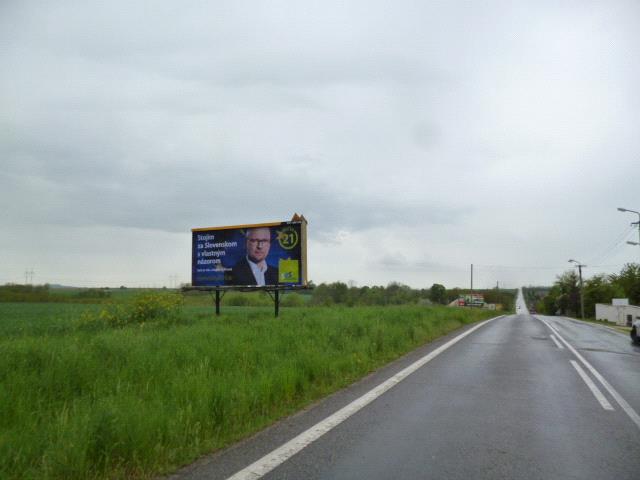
(176, 197)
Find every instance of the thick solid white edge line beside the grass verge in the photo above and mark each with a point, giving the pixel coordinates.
(283, 453)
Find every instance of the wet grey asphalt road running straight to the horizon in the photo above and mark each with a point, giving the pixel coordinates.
(510, 400)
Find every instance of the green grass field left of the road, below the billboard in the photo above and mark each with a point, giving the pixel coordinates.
(140, 400)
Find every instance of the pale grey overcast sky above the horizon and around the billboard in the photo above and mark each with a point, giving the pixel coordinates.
(416, 137)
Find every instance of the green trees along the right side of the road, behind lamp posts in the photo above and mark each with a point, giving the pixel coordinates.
(563, 298)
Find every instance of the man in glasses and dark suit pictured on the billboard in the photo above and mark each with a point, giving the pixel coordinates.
(253, 269)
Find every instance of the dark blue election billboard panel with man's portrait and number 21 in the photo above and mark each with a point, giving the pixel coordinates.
(257, 255)
